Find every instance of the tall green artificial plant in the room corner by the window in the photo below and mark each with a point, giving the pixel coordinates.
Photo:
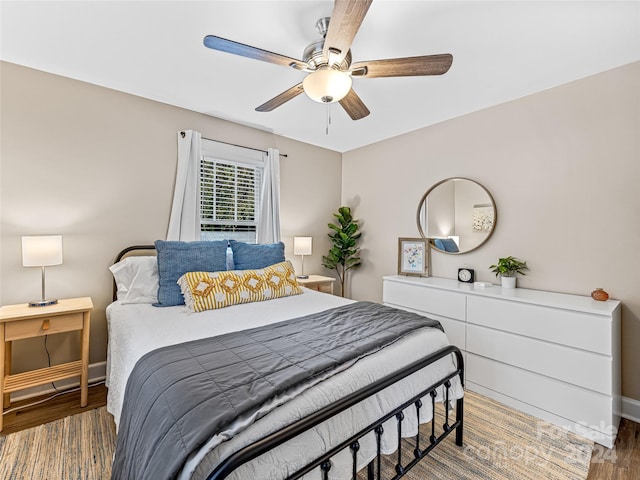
(343, 255)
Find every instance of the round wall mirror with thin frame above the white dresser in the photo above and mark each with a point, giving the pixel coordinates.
(457, 215)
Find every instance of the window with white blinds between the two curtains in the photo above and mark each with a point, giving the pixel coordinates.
(230, 185)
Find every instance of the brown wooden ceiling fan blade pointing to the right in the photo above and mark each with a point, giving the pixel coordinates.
(404, 67)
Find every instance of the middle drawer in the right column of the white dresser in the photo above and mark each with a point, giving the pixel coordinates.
(578, 367)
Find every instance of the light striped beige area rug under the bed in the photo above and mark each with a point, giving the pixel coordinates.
(499, 444)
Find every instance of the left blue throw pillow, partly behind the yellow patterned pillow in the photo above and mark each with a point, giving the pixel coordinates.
(177, 258)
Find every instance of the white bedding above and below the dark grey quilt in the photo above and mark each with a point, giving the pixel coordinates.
(139, 328)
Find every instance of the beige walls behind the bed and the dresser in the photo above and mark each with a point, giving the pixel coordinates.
(98, 166)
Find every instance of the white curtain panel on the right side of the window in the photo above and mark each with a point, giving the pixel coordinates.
(269, 220)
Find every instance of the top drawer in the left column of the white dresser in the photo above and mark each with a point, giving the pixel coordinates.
(425, 300)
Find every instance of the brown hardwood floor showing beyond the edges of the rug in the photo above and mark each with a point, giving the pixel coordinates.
(620, 463)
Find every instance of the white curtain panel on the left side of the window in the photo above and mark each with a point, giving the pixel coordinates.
(184, 222)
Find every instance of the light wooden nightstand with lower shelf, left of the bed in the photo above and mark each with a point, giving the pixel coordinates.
(18, 322)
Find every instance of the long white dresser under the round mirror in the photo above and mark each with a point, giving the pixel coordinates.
(552, 355)
